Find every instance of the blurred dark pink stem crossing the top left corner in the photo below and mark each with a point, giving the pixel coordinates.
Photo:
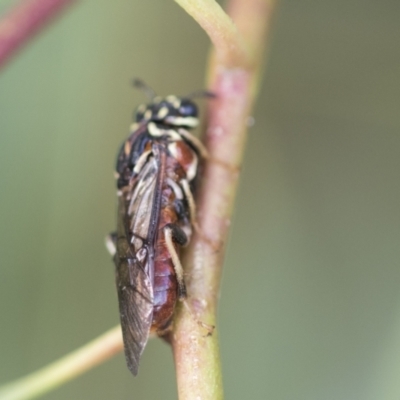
(23, 21)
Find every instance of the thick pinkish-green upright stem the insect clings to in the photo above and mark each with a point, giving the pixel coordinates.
(233, 74)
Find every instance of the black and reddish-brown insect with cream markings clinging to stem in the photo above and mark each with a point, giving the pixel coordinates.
(157, 172)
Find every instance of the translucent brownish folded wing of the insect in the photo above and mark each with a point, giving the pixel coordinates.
(134, 259)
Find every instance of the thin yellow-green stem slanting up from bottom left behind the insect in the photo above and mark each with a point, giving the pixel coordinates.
(65, 369)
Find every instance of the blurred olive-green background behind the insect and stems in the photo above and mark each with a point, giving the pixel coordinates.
(310, 301)
